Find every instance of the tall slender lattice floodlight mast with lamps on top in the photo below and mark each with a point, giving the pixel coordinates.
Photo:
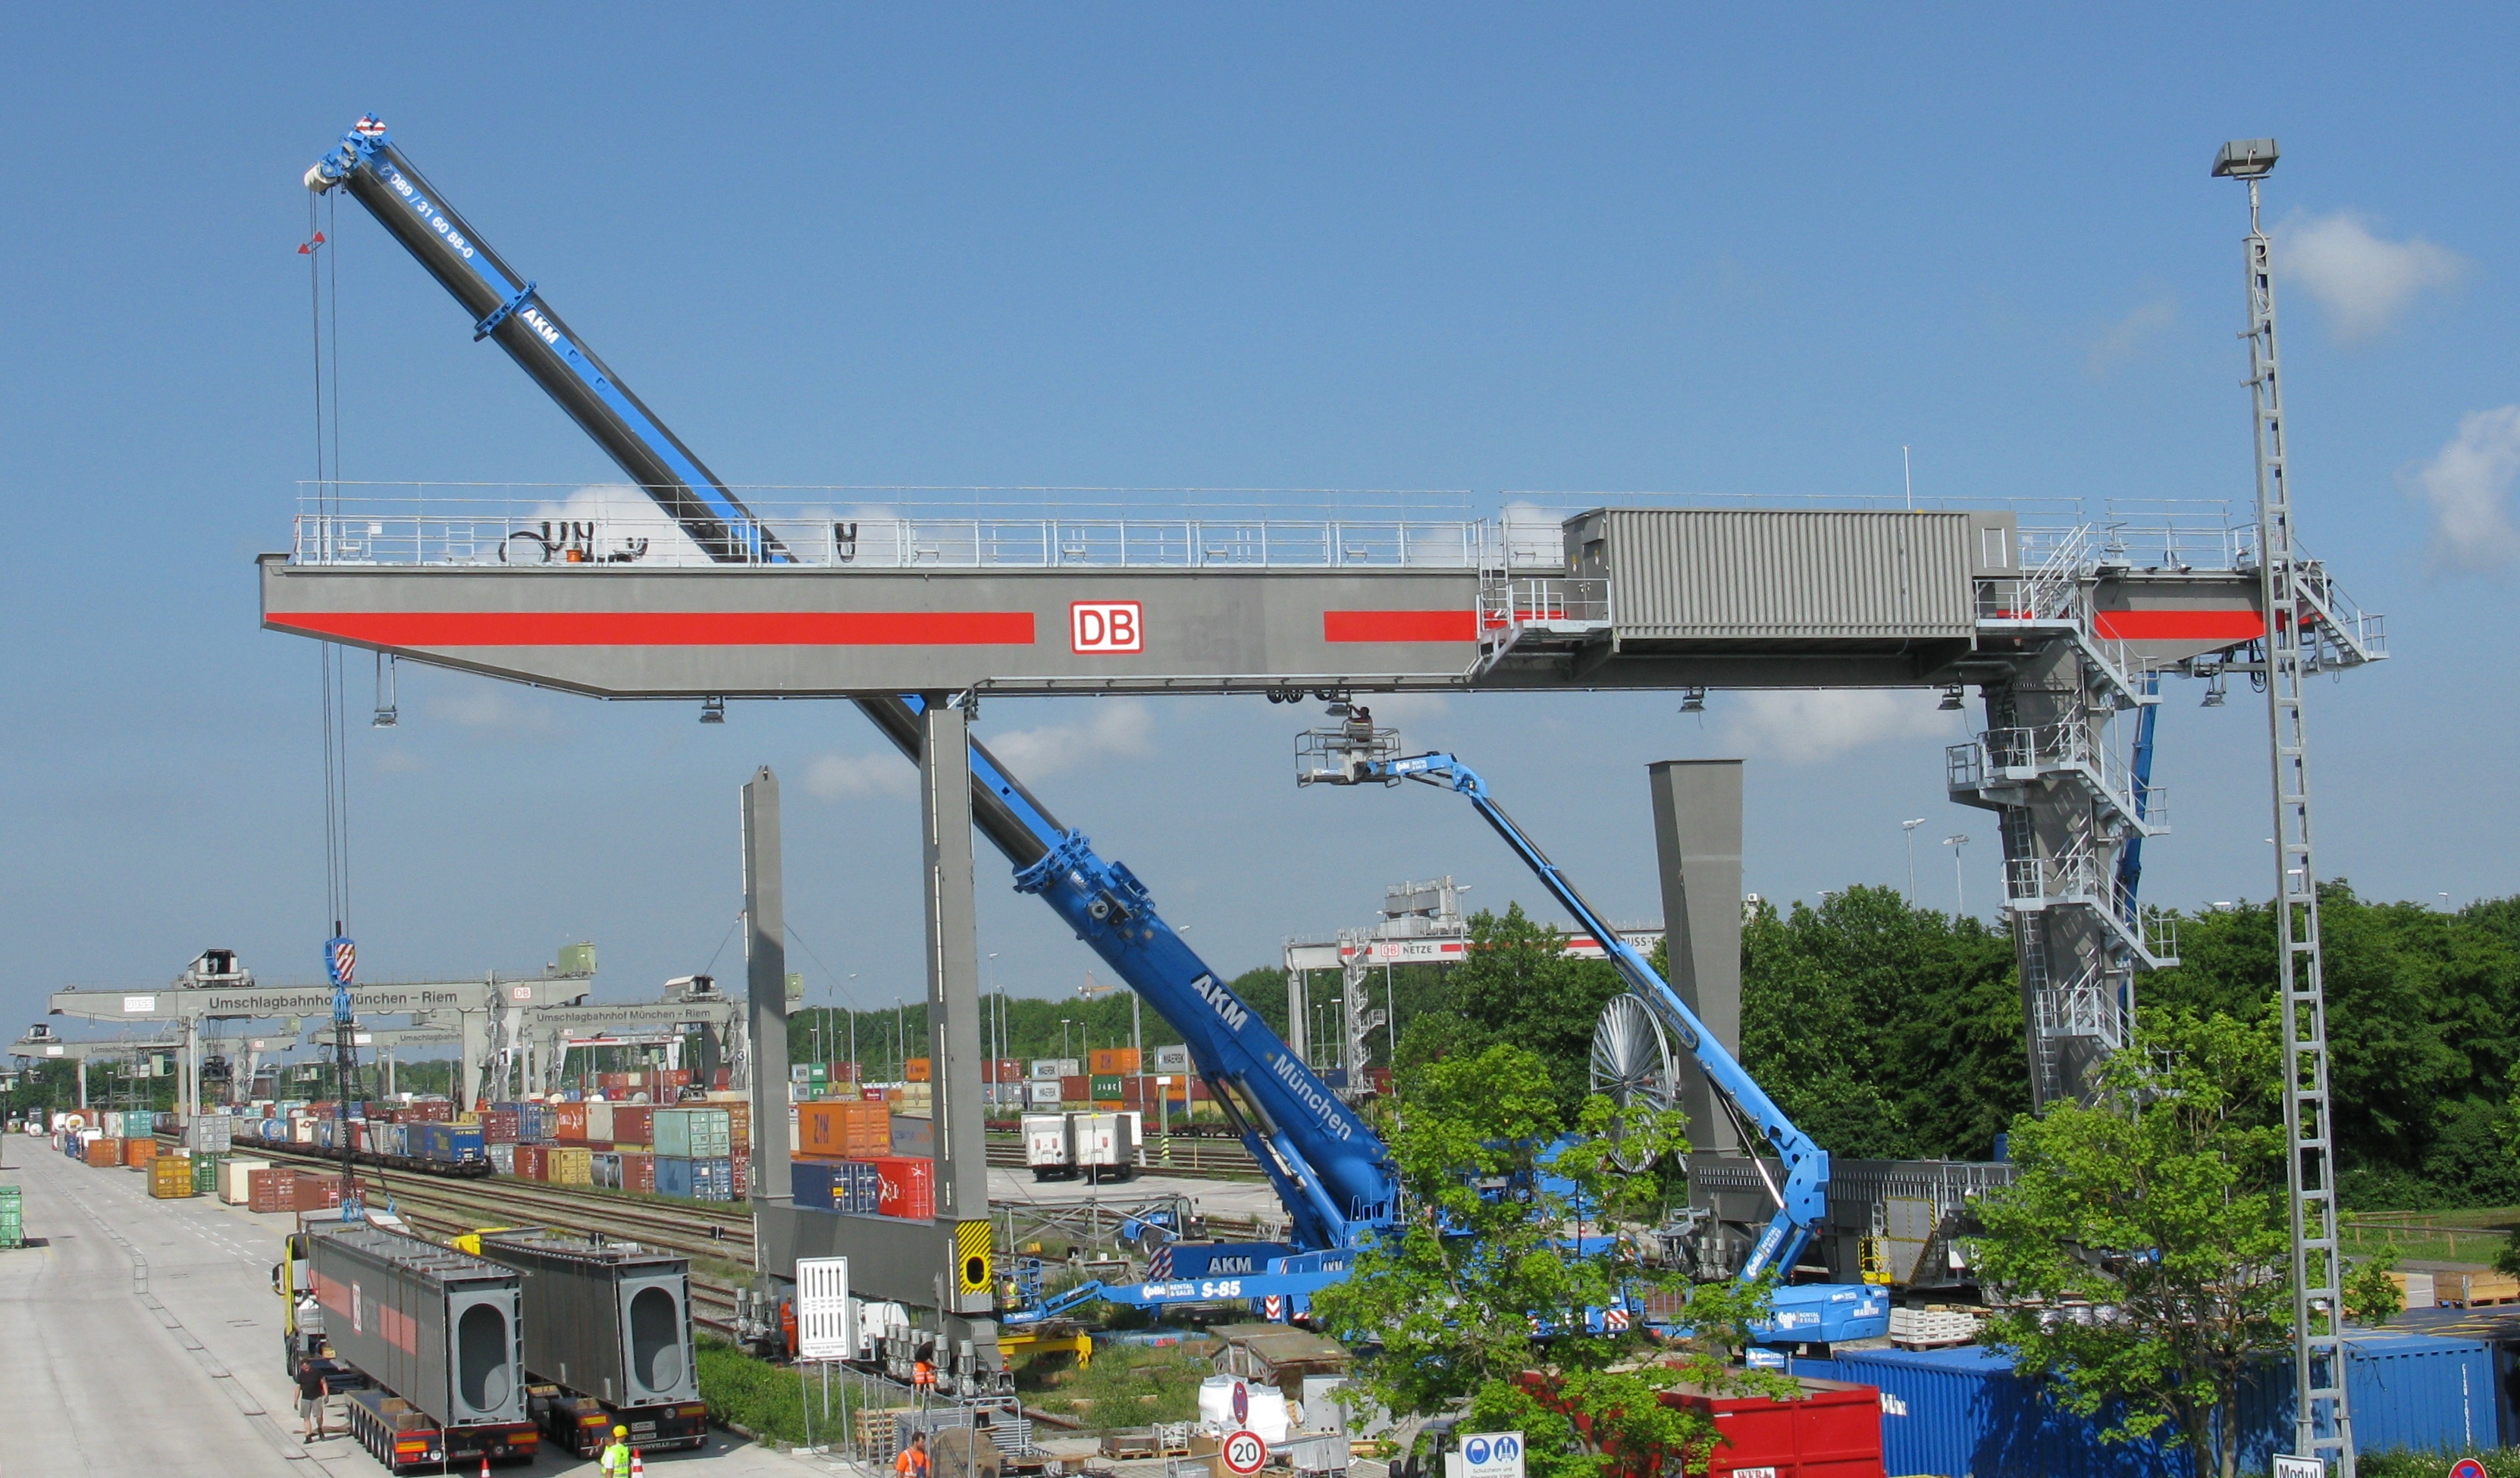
(2320, 1351)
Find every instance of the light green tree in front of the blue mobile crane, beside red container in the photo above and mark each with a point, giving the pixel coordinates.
(1483, 1293)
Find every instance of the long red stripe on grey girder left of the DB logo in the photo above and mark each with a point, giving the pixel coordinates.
(669, 628)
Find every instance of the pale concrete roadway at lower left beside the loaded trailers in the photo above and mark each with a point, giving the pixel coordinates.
(142, 1341)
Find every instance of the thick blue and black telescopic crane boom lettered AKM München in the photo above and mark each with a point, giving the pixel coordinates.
(1327, 1165)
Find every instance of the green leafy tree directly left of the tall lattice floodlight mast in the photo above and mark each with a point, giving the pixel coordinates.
(2158, 1205)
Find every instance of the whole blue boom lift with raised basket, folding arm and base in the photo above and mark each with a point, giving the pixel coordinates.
(1360, 754)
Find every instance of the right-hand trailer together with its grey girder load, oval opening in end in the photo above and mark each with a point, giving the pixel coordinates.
(606, 1341)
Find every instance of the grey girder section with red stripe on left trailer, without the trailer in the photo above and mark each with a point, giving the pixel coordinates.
(427, 1323)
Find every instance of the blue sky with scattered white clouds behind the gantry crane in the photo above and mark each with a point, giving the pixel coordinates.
(1367, 248)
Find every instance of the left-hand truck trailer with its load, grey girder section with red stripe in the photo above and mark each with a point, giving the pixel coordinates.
(440, 1333)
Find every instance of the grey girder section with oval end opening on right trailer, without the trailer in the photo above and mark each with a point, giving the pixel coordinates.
(606, 1321)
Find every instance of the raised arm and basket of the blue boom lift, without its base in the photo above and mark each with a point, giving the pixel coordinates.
(1806, 1195)
